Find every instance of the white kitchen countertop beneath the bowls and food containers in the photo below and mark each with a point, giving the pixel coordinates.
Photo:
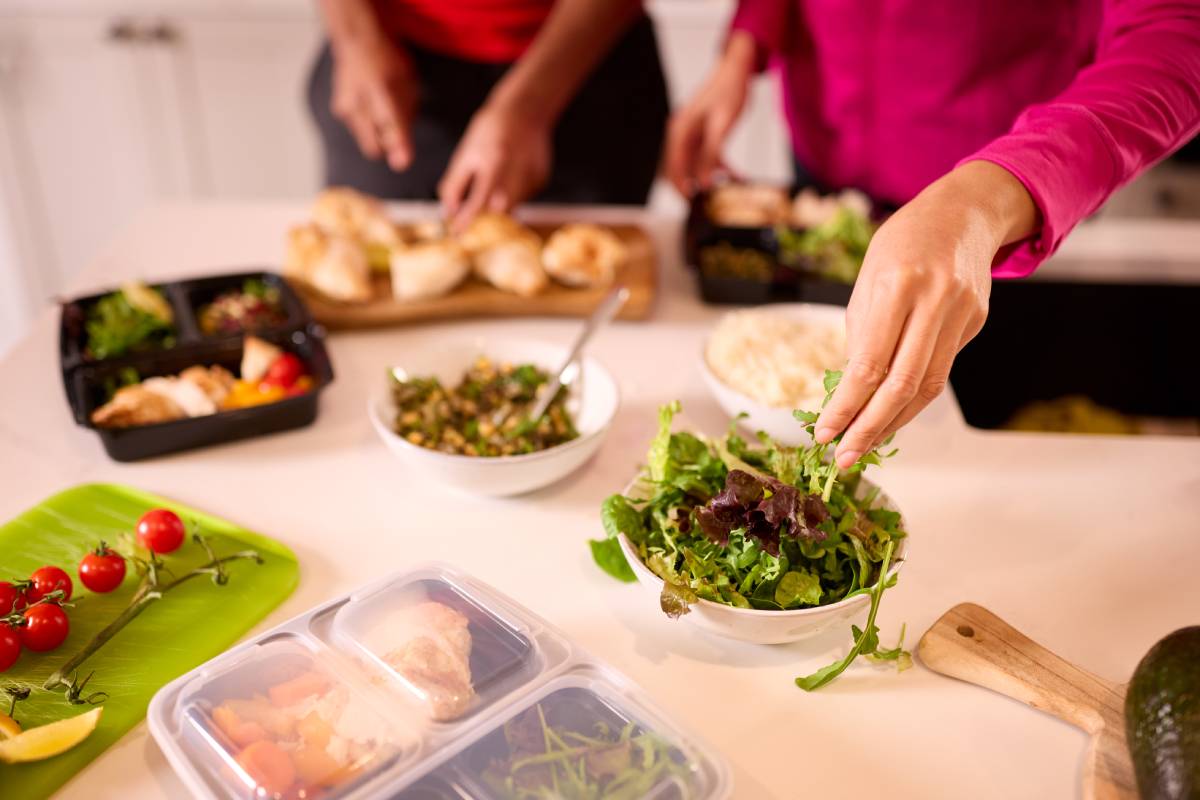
(1087, 544)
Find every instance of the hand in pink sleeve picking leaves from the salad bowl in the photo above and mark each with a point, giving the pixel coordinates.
(921, 297)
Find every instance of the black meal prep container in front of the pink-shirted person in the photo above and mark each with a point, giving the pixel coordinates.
(761, 278)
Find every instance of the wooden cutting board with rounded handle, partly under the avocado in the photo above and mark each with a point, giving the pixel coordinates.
(973, 645)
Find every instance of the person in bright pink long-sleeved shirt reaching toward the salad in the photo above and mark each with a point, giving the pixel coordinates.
(994, 127)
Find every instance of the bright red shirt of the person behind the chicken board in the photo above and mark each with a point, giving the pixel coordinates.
(494, 32)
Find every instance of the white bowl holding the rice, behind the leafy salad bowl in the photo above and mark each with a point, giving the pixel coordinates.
(778, 423)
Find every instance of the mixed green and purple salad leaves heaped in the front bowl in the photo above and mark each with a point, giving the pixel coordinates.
(757, 526)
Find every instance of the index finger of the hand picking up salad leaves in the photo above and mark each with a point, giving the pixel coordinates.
(868, 362)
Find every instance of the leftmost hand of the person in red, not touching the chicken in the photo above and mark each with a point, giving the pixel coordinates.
(375, 97)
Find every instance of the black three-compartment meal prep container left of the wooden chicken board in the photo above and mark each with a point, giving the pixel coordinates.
(88, 381)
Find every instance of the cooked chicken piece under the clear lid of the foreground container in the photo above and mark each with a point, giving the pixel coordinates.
(435, 658)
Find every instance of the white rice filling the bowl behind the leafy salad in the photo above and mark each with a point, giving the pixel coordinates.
(776, 359)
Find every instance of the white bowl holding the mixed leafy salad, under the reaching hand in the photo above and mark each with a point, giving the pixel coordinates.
(761, 627)
